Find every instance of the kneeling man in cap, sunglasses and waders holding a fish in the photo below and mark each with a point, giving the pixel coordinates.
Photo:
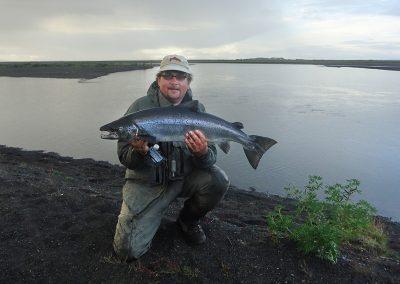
(189, 171)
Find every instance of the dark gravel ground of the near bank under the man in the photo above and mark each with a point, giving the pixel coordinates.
(58, 217)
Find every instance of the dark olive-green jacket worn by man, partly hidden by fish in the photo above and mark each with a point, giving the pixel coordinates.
(137, 167)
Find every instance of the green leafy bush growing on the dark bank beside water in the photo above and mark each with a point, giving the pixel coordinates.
(321, 226)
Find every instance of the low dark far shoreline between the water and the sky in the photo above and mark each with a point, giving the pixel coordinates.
(93, 69)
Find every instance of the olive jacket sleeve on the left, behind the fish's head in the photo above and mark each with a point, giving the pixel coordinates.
(129, 158)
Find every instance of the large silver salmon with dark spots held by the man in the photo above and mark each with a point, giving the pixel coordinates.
(170, 124)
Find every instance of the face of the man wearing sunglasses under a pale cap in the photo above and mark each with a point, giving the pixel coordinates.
(173, 85)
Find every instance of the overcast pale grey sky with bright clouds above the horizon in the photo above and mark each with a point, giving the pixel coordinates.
(131, 29)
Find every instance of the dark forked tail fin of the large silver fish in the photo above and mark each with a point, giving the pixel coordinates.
(259, 145)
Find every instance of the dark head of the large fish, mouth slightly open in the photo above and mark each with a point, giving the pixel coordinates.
(119, 129)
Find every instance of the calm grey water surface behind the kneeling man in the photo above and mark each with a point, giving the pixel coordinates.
(339, 123)
